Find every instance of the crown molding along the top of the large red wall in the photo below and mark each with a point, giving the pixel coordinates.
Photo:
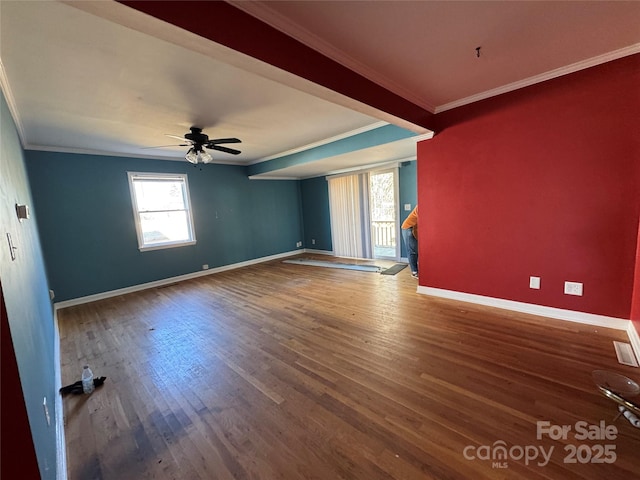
(558, 72)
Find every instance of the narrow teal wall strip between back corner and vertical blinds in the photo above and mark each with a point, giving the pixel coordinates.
(315, 211)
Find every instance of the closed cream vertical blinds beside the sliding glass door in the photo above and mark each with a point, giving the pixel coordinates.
(349, 209)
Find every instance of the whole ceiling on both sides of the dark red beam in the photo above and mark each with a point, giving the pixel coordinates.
(99, 77)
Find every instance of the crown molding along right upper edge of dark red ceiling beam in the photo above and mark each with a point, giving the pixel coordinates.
(266, 14)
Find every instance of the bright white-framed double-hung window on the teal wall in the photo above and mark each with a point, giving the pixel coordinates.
(162, 210)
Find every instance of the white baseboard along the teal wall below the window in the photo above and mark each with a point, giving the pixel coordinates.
(167, 281)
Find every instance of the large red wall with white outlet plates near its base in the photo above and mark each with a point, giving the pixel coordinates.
(543, 181)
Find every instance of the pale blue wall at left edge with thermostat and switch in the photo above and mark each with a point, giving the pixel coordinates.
(26, 296)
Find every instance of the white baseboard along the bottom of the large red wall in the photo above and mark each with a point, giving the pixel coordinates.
(541, 310)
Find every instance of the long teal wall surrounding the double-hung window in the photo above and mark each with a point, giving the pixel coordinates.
(88, 230)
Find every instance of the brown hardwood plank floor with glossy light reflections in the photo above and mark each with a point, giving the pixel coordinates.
(281, 371)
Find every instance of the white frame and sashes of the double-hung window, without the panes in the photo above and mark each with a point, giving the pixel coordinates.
(181, 177)
